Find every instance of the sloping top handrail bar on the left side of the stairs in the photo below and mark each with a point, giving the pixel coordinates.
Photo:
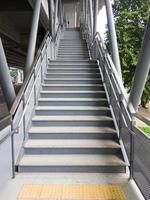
(27, 79)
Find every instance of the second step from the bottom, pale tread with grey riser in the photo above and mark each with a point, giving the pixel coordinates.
(71, 146)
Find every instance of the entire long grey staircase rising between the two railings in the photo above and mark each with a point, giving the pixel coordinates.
(72, 129)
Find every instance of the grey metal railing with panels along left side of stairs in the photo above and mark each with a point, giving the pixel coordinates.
(14, 134)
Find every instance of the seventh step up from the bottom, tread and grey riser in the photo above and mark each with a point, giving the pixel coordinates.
(73, 94)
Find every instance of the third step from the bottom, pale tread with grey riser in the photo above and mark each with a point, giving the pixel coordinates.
(70, 132)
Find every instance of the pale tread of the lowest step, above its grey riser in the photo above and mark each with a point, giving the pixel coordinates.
(71, 160)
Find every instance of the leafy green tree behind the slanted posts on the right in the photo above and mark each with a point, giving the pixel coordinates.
(131, 18)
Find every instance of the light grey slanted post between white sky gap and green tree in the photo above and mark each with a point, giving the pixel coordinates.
(113, 37)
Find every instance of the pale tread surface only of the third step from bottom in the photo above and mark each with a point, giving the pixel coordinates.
(72, 129)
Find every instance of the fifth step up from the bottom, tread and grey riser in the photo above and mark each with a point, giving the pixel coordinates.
(72, 110)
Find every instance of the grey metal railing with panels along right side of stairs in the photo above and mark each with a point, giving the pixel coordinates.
(135, 144)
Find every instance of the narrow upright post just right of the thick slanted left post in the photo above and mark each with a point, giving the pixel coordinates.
(51, 17)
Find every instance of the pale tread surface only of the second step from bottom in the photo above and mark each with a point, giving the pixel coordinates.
(52, 143)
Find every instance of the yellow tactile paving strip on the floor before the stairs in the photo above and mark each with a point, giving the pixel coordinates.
(71, 192)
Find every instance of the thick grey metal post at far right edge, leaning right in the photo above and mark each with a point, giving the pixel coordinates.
(142, 70)
